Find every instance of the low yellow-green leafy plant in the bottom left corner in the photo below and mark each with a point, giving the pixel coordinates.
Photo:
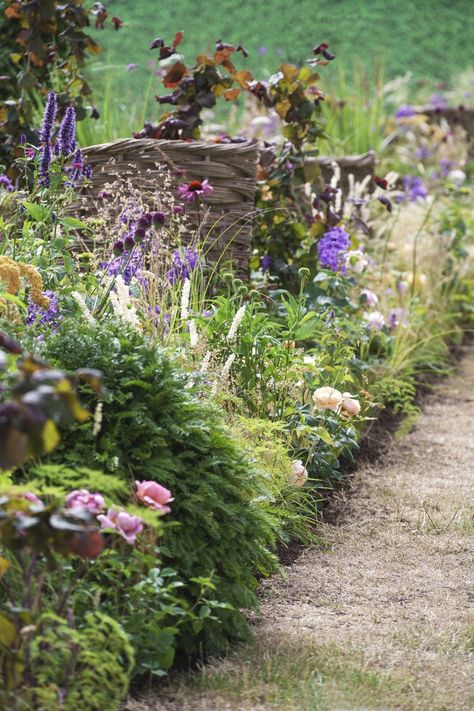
(69, 668)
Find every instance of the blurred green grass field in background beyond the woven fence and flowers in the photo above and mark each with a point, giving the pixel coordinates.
(432, 39)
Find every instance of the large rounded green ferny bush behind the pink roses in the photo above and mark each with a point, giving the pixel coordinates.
(154, 427)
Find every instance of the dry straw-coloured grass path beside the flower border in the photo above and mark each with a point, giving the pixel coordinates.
(380, 617)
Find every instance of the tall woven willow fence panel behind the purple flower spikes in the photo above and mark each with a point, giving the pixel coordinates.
(230, 168)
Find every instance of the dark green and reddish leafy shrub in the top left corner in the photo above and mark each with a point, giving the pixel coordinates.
(44, 45)
